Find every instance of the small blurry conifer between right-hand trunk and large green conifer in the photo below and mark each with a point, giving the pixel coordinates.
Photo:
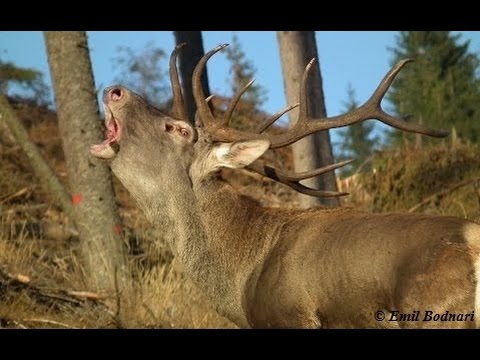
(356, 141)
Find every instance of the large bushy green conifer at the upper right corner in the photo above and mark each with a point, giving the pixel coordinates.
(442, 88)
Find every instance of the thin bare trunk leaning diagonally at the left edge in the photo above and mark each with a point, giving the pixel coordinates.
(42, 170)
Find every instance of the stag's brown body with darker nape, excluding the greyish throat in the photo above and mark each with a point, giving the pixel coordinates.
(337, 267)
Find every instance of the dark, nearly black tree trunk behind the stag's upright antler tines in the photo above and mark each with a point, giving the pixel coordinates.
(188, 58)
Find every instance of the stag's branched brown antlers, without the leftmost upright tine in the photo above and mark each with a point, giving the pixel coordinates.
(218, 130)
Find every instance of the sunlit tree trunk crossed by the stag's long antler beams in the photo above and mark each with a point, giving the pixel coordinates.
(297, 48)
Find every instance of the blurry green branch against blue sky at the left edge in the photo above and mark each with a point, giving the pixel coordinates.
(23, 83)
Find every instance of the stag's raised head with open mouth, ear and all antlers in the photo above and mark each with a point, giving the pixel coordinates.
(138, 133)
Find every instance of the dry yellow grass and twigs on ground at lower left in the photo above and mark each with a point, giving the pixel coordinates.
(161, 297)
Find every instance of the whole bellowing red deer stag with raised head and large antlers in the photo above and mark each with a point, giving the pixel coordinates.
(265, 267)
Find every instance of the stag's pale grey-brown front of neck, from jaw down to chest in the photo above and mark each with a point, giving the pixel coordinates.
(190, 234)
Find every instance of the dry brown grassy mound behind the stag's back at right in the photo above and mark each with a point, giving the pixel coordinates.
(404, 178)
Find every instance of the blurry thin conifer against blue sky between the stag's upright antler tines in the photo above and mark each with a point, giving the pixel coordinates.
(242, 71)
